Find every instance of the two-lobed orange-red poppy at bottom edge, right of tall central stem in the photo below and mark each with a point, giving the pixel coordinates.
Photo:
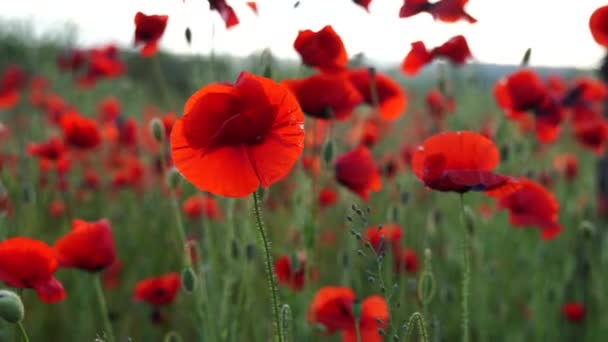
(332, 307)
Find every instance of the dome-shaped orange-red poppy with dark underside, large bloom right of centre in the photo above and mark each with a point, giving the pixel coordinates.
(460, 162)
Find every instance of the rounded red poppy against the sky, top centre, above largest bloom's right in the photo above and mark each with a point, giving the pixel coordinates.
(323, 49)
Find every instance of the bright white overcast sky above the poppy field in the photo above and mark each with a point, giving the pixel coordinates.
(557, 30)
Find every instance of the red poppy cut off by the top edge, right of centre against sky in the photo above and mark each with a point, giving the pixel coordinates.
(448, 11)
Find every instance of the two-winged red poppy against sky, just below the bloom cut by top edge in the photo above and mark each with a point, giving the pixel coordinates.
(456, 50)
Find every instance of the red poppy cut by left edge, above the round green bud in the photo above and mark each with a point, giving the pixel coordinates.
(28, 263)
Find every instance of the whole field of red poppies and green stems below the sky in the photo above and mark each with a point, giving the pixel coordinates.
(151, 197)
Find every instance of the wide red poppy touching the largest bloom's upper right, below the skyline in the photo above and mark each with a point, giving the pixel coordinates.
(325, 96)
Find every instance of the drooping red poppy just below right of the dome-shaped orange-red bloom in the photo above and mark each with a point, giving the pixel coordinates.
(532, 205)
